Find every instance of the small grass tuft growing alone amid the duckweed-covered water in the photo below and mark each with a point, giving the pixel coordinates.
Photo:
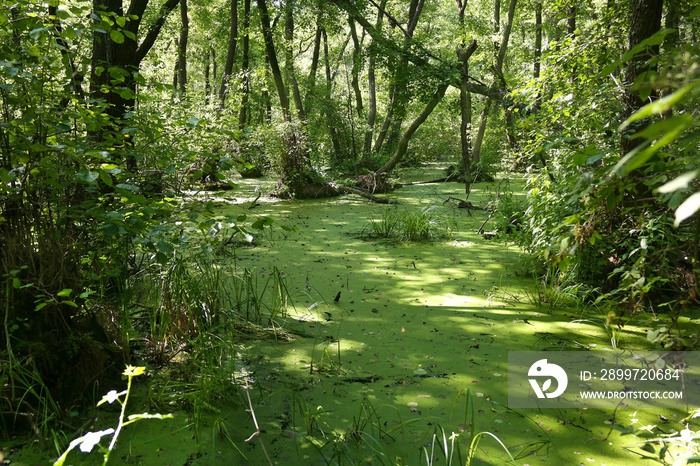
(411, 225)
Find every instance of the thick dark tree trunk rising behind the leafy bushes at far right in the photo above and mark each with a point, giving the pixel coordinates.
(646, 21)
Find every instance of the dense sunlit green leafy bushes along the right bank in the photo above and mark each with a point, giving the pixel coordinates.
(594, 216)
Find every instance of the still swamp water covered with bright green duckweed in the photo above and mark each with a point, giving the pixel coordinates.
(417, 331)
